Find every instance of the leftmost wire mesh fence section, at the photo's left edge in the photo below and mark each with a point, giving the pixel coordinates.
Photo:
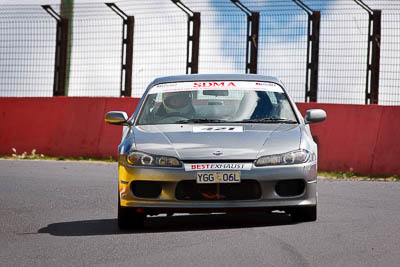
(26, 52)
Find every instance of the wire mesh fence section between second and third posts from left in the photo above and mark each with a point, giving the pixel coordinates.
(159, 49)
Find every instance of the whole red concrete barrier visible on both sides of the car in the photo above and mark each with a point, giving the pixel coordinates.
(358, 138)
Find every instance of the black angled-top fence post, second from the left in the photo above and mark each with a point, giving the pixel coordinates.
(127, 50)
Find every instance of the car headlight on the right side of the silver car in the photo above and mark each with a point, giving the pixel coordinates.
(292, 157)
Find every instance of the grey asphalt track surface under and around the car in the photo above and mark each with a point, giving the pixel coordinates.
(64, 214)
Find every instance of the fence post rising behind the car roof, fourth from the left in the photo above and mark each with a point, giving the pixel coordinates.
(253, 22)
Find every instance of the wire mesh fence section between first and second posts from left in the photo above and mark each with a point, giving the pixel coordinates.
(95, 59)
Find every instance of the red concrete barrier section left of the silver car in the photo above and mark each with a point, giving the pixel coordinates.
(67, 126)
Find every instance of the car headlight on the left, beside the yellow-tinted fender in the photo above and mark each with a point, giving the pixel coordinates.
(143, 159)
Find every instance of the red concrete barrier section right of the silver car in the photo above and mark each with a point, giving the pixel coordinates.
(357, 138)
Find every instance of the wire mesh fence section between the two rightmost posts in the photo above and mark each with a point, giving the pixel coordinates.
(343, 58)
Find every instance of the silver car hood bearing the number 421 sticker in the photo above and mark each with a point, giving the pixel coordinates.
(217, 142)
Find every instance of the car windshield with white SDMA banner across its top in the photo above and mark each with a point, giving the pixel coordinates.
(216, 102)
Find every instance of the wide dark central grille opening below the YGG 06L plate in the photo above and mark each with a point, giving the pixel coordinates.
(245, 190)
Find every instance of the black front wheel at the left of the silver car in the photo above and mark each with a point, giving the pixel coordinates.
(128, 218)
